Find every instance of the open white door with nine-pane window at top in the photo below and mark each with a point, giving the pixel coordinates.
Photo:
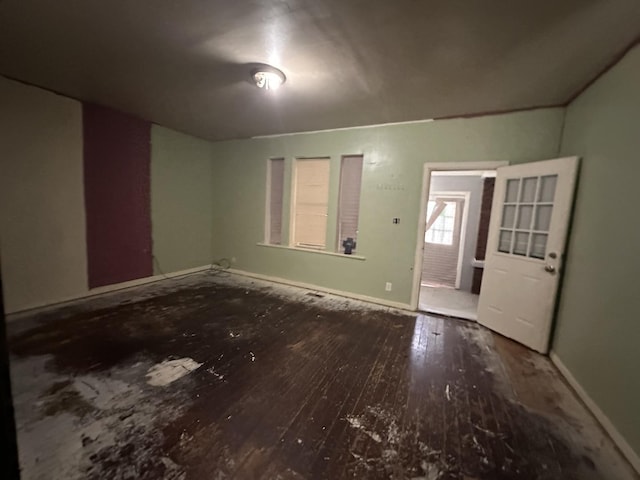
(525, 249)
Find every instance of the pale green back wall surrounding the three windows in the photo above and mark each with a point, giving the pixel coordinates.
(392, 179)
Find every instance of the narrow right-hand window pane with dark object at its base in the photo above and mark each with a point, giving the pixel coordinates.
(349, 202)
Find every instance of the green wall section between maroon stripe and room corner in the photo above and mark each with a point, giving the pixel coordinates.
(181, 200)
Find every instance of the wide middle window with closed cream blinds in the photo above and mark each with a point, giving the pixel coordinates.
(310, 203)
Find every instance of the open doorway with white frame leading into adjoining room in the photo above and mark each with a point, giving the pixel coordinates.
(455, 202)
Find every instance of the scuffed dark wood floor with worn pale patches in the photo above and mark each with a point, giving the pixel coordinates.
(216, 377)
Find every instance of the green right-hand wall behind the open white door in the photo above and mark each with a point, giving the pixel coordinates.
(598, 330)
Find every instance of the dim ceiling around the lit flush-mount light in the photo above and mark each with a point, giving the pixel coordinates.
(185, 63)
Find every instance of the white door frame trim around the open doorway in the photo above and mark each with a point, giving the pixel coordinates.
(428, 168)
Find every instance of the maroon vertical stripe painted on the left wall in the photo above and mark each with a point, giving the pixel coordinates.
(117, 156)
